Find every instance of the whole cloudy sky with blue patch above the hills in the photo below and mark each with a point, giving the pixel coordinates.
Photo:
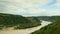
(30, 7)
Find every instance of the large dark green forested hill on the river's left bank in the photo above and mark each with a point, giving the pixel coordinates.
(17, 21)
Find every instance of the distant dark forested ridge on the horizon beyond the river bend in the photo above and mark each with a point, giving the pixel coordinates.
(47, 18)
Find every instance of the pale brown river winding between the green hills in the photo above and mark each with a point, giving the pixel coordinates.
(25, 31)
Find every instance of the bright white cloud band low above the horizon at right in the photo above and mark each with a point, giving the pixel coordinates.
(45, 12)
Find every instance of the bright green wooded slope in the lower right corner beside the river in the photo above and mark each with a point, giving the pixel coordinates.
(53, 28)
